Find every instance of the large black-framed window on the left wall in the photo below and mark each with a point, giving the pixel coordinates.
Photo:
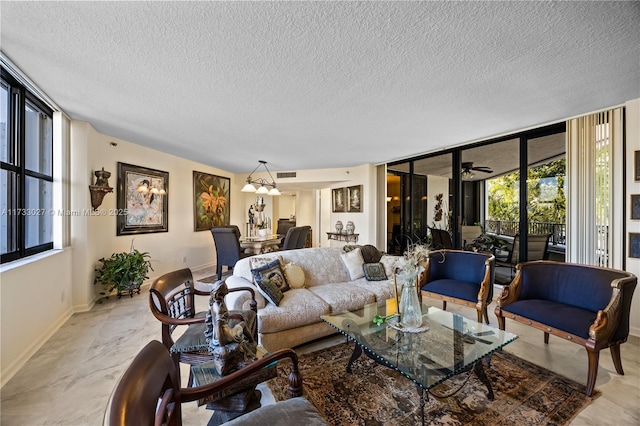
(26, 173)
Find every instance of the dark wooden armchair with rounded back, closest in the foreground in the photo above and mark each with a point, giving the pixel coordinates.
(149, 391)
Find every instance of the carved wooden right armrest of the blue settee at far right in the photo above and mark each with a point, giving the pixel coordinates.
(608, 319)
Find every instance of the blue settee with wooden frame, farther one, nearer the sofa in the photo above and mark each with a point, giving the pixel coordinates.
(461, 277)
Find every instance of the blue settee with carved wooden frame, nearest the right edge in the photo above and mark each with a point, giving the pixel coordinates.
(587, 305)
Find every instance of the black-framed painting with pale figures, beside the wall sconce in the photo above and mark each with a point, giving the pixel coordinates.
(143, 200)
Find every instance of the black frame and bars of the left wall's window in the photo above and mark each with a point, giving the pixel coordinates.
(17, 163)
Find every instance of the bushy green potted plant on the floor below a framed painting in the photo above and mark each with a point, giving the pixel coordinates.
(123, 272)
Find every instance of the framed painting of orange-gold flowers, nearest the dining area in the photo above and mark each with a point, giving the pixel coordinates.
(211, 201)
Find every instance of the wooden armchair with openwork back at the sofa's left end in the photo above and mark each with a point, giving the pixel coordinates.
(172, 302)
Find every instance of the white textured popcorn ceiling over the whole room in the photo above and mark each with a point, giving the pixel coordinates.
(308, 85)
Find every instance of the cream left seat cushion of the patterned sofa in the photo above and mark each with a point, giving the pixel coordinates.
(298, 307)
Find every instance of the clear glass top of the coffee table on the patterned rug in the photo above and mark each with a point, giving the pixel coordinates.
(452, 344)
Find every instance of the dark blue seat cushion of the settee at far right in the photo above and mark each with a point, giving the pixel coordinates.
(561, 316)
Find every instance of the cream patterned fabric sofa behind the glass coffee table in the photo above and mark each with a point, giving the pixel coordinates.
(328, 289)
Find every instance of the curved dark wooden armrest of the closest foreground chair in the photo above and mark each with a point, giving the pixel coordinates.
(295, 378)
